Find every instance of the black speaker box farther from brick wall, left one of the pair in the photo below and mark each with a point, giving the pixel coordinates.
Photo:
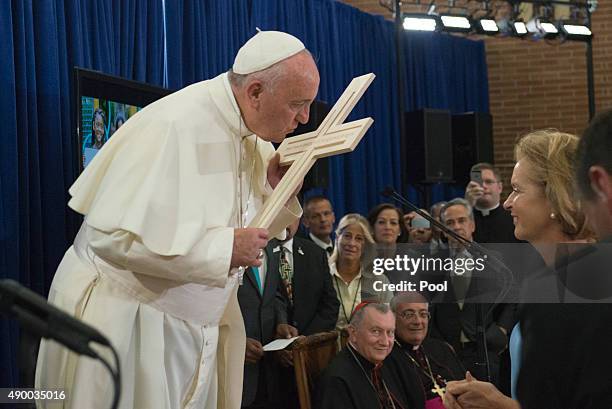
(427, 148)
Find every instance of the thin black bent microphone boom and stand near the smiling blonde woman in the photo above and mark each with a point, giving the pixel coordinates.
(479, 251)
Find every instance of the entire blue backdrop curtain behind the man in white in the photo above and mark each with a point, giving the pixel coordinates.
(40, 42)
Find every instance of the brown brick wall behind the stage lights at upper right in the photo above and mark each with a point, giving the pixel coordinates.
(535, 84)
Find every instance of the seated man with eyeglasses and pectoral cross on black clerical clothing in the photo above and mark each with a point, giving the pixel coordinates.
(433, 360)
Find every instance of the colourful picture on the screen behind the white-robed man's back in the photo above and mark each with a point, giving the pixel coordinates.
(100, 119)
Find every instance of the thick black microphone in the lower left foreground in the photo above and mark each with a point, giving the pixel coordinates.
(47, 321)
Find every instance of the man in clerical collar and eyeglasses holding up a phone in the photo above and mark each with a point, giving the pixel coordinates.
(493, 223)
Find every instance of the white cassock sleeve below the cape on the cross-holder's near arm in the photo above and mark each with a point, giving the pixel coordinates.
(208, 262)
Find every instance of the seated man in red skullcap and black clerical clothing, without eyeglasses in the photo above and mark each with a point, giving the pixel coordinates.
(357, 378)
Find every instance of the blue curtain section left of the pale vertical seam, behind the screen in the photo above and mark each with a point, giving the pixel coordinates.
(40, 42)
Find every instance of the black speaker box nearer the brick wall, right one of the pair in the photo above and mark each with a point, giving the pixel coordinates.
(472, 142)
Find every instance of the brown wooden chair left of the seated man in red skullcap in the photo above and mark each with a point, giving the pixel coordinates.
(311, 355)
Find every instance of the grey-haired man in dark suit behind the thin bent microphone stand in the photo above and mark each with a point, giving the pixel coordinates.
(453, 319)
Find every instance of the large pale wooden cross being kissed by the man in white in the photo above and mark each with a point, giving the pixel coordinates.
(333, 137)
